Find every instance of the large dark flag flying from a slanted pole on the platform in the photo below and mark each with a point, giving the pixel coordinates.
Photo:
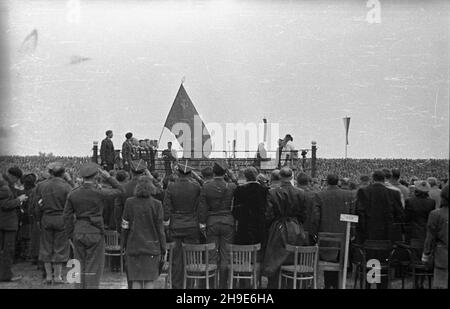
(197, 142)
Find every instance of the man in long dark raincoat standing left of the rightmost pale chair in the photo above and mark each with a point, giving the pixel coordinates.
(286, 209)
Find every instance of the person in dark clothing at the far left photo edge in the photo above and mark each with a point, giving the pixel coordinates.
(9, 221)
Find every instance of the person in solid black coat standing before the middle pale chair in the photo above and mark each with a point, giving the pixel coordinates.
(250, 204)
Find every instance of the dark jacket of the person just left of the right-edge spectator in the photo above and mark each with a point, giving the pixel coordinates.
(417, 211)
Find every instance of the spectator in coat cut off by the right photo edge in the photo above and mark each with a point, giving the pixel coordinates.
(436, 242)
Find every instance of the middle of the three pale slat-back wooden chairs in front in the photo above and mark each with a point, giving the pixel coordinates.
(243, 263)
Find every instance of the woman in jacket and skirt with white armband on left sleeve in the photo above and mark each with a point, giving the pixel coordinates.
(144, 238)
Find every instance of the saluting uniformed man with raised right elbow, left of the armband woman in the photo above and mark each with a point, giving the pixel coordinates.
(83, 219)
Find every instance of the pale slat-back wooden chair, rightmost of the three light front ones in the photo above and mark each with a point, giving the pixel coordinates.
(304, 268)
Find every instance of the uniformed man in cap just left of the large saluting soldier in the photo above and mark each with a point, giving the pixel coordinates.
(54, 245)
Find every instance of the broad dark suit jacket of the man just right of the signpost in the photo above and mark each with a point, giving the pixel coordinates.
(378, 208)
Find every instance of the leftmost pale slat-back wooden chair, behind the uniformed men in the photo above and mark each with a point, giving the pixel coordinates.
(197, 264)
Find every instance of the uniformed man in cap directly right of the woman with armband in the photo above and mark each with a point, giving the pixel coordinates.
(181, 215)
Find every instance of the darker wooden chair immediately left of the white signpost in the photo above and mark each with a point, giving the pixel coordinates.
(332, 243)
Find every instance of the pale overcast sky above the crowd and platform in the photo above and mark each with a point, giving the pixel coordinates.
(302, 64)
